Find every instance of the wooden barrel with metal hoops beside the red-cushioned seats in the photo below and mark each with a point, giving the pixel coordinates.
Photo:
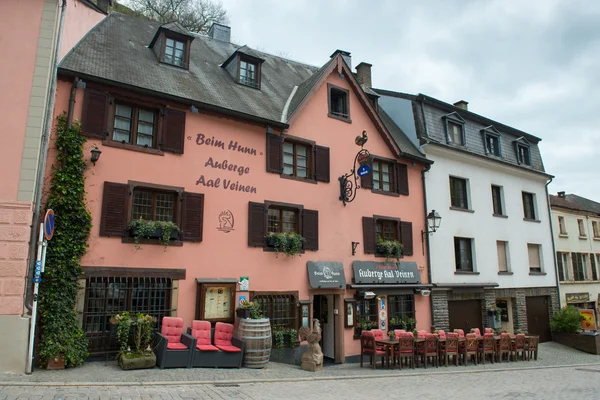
(256, 334)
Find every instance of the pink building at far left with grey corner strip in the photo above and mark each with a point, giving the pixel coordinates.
(26, 78)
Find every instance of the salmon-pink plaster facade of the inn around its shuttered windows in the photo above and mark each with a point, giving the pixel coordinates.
(227, 255)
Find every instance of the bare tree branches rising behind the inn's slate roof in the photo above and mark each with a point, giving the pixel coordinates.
(193, 15)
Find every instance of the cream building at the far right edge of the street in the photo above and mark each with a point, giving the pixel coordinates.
(576, 223)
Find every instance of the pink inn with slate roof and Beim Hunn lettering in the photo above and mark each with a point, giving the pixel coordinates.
(232, 144)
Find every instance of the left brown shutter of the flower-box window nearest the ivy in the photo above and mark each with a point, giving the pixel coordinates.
(113, 221)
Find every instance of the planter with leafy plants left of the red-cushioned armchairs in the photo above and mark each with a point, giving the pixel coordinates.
(142, 355)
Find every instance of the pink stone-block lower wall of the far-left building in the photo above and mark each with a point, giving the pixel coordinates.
(15, 220)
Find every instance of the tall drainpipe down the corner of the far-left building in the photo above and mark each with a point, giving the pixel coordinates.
(37, 201)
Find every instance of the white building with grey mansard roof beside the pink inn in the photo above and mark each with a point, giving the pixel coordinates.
(494, 245)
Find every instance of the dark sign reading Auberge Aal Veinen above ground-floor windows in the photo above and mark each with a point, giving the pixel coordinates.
(386, 272)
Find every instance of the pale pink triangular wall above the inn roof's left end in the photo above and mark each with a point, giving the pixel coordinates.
(79, 19)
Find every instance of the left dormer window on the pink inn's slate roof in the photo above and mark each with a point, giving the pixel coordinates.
(171, 44)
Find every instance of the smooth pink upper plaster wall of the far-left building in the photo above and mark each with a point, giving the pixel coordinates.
(19, 28)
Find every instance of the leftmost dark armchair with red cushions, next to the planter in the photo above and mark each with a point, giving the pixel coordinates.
(173, 348)
